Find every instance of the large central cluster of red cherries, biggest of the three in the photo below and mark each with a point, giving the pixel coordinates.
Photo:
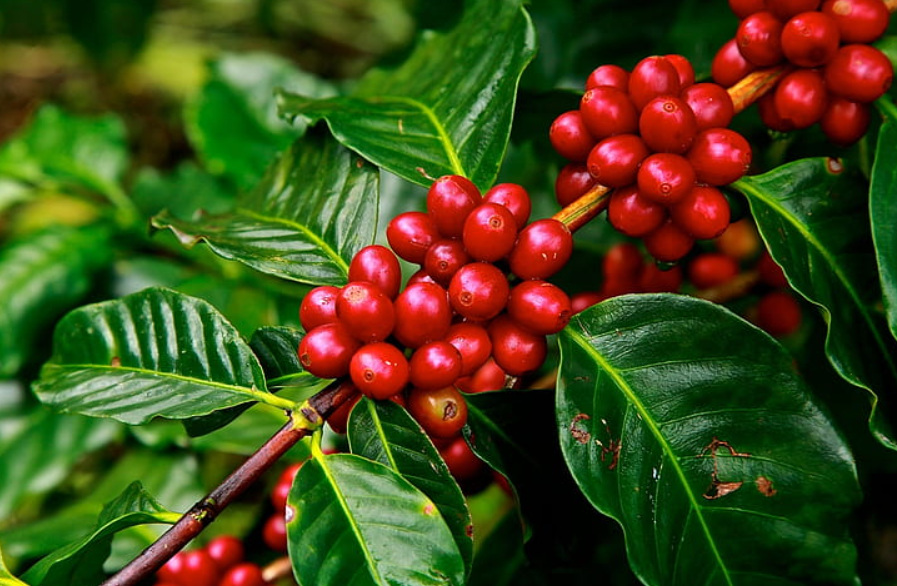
(458, 322)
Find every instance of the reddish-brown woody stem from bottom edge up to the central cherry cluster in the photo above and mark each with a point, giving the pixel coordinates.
(308, 418)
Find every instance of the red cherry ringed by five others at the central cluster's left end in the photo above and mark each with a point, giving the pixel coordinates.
(366, 312)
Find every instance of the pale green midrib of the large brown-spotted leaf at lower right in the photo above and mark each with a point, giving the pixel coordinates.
(665, 446)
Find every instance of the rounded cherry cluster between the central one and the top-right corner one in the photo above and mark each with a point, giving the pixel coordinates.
(661, 142)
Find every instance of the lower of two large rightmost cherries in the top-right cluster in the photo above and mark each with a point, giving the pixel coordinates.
(859, 72)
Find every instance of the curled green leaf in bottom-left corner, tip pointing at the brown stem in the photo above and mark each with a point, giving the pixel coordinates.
(82, 561)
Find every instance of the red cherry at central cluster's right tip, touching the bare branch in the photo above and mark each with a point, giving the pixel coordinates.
(542, 249)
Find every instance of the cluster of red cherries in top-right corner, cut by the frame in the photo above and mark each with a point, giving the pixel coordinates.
(836, 73)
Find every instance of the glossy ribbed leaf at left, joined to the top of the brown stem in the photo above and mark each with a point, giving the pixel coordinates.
(156, 353)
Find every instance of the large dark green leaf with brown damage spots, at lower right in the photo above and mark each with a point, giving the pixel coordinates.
(690, 427)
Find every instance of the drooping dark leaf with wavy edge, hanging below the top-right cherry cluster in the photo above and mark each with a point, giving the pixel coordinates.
(816, 225)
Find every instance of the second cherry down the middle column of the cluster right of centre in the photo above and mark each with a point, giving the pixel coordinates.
(667, 125)
